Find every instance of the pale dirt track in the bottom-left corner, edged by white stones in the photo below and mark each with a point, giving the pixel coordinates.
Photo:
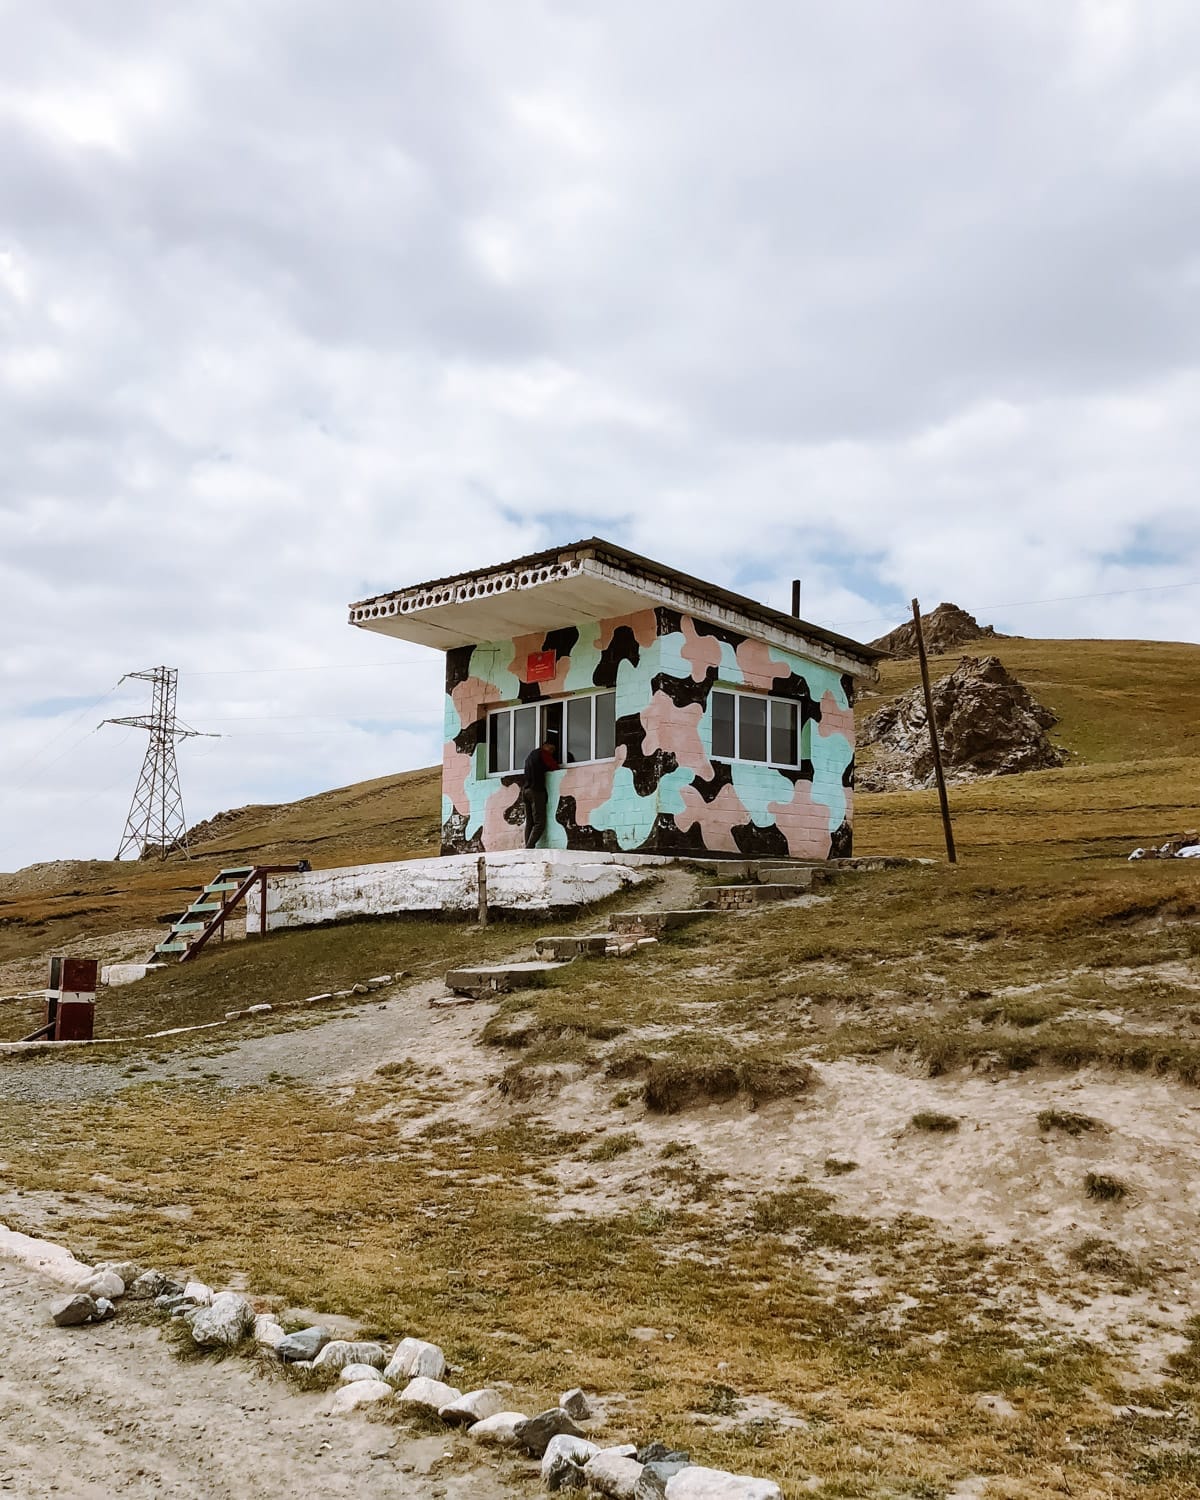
(109, 1411)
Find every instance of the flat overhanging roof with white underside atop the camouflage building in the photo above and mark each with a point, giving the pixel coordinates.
(592, 580)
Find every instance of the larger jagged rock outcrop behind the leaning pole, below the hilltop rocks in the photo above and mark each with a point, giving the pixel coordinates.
(989, 725)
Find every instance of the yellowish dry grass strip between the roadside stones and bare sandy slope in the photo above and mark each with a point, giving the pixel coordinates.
(313, 1202)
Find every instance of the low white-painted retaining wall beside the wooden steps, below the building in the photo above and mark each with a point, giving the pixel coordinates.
(517, 881)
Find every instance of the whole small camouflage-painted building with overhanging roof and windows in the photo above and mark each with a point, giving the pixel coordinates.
(689, 719)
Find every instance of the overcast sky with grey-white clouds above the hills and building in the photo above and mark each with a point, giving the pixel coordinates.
(301, 302)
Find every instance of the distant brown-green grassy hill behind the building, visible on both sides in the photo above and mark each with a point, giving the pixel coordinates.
(1129, 716)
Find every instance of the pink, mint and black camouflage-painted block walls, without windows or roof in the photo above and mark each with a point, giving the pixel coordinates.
(662, 793)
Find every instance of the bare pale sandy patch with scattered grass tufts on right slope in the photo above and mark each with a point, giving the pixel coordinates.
(998, 1178)
